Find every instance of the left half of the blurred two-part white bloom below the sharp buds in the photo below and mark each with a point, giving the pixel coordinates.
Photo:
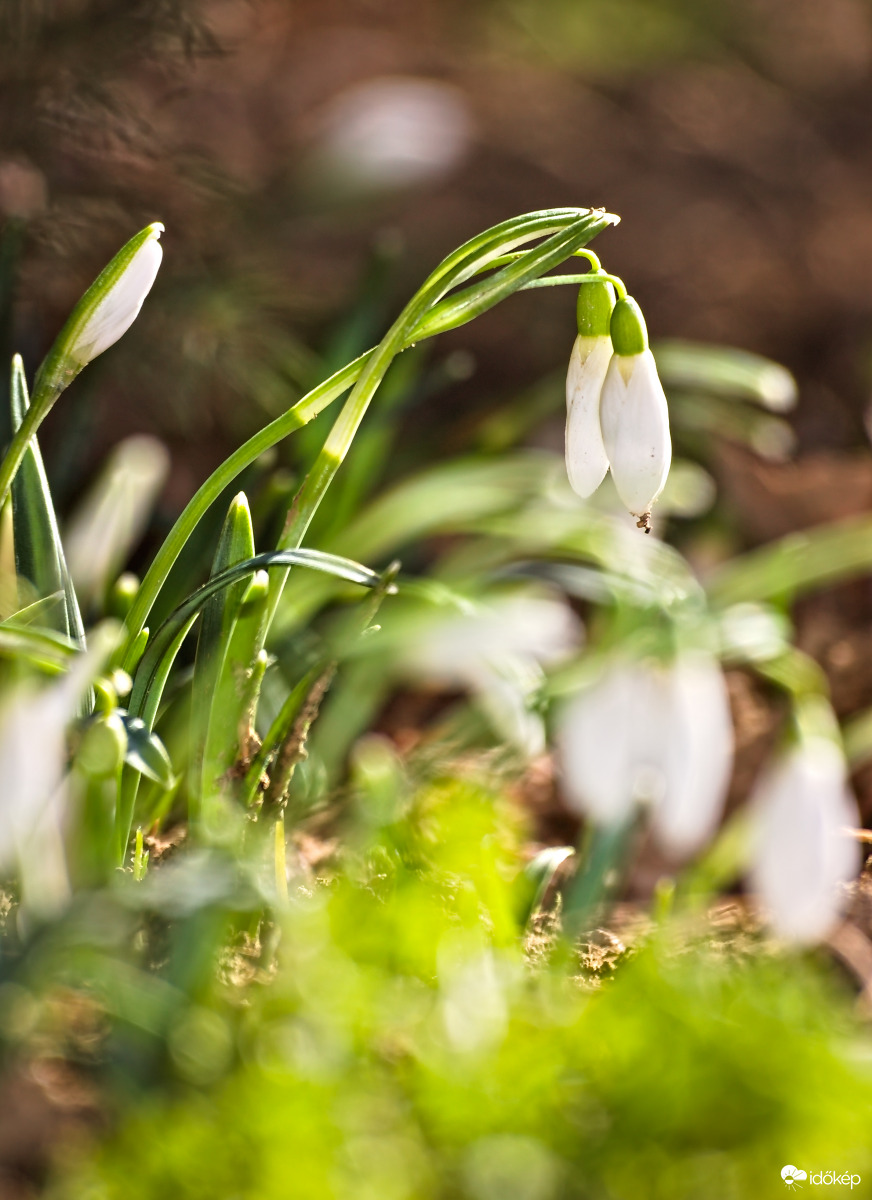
(600, 742)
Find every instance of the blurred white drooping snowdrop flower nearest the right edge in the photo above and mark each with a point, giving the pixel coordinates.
(802, 854)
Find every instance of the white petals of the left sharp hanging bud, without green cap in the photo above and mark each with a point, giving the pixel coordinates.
(586, 455)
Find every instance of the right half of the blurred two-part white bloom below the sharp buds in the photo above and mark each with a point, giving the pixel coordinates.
(697, 755)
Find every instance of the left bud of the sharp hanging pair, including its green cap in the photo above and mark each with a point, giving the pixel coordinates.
(586, 455)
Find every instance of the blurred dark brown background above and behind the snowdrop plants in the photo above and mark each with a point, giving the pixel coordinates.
(736, 142)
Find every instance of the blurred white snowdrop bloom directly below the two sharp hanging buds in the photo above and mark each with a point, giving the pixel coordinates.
(652, 735)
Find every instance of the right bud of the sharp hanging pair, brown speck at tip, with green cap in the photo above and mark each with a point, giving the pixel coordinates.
(634, 416)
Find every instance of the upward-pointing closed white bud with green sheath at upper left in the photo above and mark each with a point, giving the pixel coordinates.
(117, 305)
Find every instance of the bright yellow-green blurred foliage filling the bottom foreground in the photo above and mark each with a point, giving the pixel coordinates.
(405, 1048)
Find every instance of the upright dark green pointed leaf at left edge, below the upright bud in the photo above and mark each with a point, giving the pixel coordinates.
(39, 550)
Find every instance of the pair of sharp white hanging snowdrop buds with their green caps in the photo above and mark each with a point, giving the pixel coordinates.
(617, 415)
